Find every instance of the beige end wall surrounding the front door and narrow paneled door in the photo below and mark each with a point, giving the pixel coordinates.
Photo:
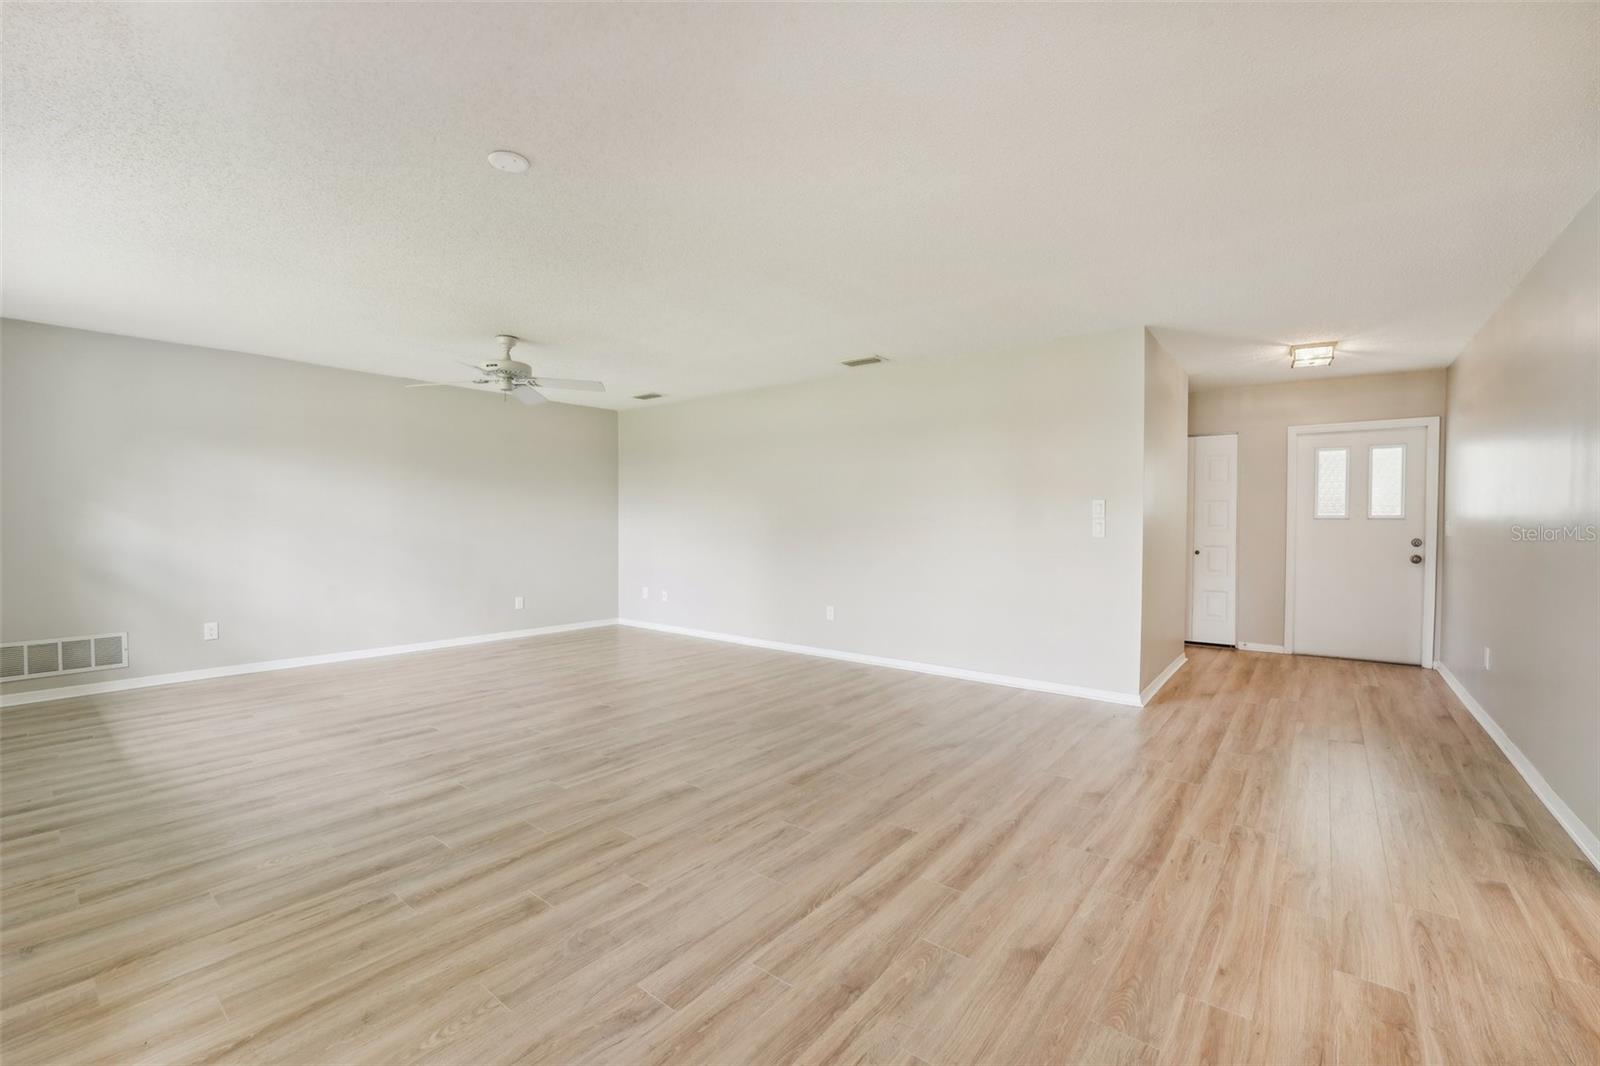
(1262, 417)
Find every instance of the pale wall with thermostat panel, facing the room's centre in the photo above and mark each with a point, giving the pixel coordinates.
(942, 508)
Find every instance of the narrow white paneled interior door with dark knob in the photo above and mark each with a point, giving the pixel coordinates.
(1214, 539)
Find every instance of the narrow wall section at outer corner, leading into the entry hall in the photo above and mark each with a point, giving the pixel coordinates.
(1166, 591)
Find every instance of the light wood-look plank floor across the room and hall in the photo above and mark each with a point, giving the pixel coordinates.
(628, 848)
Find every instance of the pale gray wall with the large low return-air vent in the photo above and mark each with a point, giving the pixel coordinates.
(153, 487)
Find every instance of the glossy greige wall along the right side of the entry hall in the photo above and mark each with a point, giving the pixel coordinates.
(1524, 451)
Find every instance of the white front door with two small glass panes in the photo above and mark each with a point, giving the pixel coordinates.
(1361, 527)
